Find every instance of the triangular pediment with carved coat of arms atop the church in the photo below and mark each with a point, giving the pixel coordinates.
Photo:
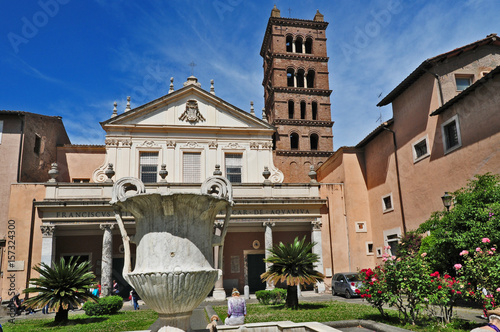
(191, 107)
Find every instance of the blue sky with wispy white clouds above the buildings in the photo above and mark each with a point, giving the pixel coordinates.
(74, 58)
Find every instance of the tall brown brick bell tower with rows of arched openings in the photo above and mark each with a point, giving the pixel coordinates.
(297, 94)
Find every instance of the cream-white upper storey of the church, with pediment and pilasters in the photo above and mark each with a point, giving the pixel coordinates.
(189, 120)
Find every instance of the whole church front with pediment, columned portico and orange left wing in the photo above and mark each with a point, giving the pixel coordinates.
(172, 144)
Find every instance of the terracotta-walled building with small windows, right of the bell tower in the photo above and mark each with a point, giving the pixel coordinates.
(445, 129)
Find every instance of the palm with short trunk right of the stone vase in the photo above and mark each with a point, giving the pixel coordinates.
(293, 264)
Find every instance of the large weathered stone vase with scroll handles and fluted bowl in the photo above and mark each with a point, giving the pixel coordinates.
(174, 234)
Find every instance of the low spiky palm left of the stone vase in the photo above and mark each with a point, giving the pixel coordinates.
(61, 286)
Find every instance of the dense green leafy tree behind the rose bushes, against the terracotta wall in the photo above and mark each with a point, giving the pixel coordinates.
(473, 216)
